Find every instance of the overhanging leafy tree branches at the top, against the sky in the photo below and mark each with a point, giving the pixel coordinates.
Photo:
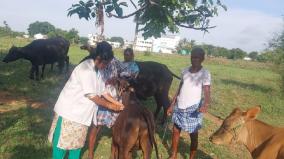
(155, 17)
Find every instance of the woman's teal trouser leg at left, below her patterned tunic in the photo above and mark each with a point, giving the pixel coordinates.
(57, 153)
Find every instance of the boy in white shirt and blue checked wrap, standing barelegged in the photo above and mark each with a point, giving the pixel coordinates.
(188, 106)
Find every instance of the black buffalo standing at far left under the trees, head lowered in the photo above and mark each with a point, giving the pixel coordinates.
(41, 52)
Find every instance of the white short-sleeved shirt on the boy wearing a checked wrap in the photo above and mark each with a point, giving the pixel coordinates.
(191, 90)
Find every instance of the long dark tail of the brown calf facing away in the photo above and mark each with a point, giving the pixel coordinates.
(148, 116)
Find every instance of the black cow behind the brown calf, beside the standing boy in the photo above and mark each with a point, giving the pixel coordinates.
(154, 79)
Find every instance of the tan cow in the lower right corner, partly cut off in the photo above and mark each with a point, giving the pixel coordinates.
(262, 140)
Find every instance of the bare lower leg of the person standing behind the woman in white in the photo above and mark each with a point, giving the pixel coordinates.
(92, 139)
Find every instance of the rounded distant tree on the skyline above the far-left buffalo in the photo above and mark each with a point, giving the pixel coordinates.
(40, 27)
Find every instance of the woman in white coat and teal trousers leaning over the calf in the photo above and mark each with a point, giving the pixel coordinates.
(73, 110)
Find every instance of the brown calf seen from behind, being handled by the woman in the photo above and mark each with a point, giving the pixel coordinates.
(134, 128)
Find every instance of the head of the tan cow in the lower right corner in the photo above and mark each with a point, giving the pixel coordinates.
(233, 127)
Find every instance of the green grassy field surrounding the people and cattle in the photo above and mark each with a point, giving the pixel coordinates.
(26, 106)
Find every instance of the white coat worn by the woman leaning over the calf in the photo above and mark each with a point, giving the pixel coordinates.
(71, 103)
